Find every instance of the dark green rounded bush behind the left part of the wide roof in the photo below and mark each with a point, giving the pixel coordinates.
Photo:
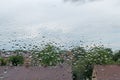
(16, 60)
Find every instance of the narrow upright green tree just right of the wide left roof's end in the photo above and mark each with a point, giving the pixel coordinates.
(78, 53)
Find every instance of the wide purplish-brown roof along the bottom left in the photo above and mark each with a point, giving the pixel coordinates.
(36, 73)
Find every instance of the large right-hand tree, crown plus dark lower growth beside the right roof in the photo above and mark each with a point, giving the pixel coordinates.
(97, 55)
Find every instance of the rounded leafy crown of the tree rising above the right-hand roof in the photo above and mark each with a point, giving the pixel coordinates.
(99, 55)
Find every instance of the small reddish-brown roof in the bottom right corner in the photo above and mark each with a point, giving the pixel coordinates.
(107, 72)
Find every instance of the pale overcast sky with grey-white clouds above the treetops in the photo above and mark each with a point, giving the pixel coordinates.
(96, 21)
